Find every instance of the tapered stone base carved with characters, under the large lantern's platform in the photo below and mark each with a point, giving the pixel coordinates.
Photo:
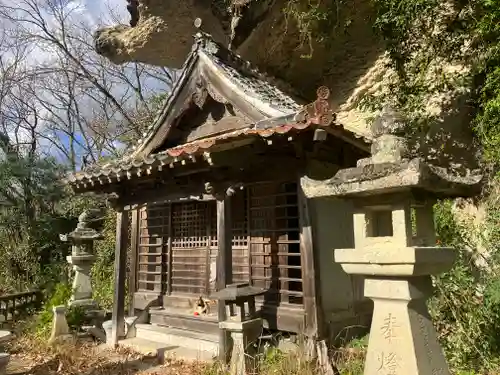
(402, 337)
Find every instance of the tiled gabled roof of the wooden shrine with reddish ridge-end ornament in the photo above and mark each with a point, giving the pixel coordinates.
(210, 69)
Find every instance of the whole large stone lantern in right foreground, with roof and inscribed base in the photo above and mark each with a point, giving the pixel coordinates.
(395, 247)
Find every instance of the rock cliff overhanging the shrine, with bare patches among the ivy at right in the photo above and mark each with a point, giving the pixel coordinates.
(334, 46)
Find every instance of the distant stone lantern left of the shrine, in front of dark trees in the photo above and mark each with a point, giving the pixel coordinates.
(82, 258)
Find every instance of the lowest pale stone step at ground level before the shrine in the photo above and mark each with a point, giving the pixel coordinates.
(162, 350)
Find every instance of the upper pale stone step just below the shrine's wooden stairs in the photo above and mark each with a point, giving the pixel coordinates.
(206, 344)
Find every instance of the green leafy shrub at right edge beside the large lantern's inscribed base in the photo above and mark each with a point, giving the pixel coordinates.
(465, 307)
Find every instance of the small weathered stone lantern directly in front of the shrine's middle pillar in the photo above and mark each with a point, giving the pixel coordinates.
(242, 323)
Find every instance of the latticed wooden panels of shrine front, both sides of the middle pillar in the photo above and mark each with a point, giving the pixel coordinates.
(178, 244)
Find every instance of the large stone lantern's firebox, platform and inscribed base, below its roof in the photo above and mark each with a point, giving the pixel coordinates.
(397, 278)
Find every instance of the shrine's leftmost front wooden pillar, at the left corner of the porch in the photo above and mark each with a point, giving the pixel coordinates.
(118, 318)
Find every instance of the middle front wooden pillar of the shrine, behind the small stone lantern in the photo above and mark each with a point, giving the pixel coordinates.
(224, 265)
